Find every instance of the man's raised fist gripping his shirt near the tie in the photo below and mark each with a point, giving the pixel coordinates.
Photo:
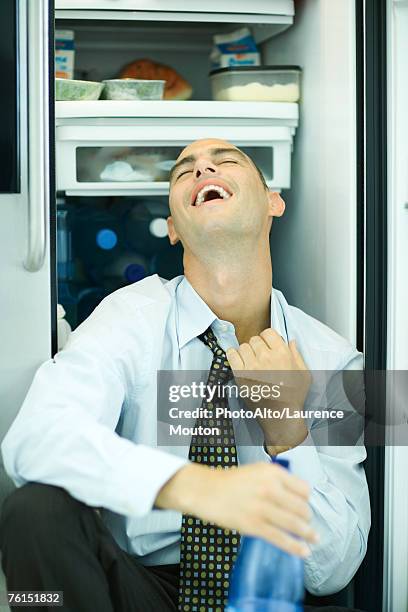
(267, 359)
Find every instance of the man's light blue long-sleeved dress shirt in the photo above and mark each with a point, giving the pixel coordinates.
(89, 424)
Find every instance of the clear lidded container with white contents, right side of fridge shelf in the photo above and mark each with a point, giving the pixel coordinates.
(256, 84)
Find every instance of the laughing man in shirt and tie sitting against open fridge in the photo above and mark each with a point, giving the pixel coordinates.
(86, 436)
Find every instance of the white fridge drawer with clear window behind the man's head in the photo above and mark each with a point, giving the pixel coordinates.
(137, 159)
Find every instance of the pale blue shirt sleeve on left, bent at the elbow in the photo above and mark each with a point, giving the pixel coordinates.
(64, 434)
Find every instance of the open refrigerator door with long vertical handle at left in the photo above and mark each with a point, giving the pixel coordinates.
(25, 287)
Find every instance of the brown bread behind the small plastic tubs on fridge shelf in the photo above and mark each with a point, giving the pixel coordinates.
(176, 87)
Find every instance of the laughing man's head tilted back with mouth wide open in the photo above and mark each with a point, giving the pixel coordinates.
(219, 200)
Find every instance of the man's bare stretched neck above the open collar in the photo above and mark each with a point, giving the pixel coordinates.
(238, 291)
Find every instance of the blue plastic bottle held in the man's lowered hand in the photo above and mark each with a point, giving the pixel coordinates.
(265, 578)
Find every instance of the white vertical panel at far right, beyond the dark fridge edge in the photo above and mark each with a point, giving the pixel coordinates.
(396, 466)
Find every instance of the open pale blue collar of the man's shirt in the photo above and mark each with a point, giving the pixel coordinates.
(195, 316)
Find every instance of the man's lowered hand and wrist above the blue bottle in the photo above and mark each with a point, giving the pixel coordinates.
(260, 499)
